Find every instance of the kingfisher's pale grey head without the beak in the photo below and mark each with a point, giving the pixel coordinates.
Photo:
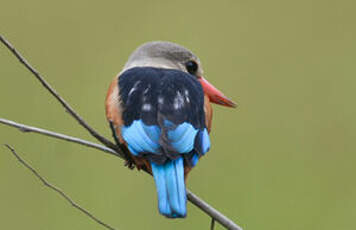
(162, 54)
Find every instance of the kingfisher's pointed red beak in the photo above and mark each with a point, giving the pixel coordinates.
(215, 95)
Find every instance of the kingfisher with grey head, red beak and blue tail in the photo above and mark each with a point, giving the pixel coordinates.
(159, 110)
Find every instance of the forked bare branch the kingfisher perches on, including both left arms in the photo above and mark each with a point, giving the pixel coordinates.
(194, 199)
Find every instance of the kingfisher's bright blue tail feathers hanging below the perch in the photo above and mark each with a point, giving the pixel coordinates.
(169, 178)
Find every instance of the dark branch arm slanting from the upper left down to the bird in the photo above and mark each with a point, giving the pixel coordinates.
(52, 91)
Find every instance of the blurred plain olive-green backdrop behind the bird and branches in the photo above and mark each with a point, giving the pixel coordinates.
(283, 160)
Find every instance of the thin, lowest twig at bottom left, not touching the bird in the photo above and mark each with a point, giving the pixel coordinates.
(58, 190)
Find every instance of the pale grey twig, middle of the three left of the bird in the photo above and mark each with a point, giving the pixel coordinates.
(31, 129)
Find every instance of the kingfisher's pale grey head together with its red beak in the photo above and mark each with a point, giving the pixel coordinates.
(169, 55)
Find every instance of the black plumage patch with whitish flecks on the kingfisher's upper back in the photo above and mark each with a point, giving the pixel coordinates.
(152, 94)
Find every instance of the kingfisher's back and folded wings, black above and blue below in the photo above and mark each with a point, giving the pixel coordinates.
(163, 112)
